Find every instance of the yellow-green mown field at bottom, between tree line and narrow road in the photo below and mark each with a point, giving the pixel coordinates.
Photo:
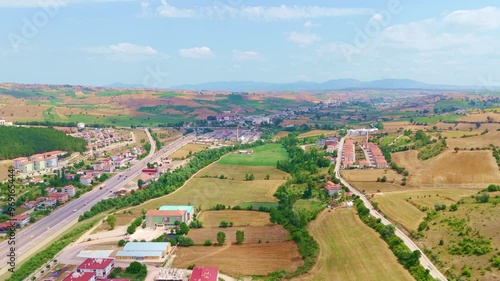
(350, 250)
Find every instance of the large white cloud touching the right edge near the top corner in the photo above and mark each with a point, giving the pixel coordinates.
(485, 18)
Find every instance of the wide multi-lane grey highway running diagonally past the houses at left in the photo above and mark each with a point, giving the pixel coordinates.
(36, 234)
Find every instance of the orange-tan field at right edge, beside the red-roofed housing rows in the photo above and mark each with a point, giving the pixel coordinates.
(465, 167)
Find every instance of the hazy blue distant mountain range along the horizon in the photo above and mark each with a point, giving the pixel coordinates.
(338, 84)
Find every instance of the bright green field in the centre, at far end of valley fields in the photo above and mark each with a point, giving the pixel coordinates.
(266, 155)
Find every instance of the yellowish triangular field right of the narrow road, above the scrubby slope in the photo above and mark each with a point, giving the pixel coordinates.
(404, 213)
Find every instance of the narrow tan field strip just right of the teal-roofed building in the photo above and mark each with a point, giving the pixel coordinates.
(238, 218)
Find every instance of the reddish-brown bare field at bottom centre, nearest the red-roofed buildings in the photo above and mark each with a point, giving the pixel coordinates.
(241, 260)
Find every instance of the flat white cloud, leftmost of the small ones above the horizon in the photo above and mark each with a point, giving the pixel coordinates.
(127, 52)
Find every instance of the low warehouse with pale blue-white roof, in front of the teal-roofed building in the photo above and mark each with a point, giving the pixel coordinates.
(150, 251)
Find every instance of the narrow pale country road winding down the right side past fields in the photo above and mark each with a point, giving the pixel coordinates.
(424, 261)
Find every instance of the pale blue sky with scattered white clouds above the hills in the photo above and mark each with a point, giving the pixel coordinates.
(161, 43)
